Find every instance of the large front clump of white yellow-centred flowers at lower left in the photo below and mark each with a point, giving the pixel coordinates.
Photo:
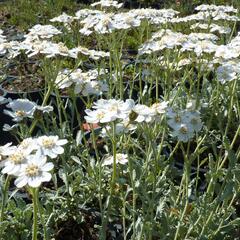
(28, 161)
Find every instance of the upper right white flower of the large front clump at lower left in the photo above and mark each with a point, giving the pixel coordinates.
(51, 145)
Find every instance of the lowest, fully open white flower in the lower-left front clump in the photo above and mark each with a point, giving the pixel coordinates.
(34, 171)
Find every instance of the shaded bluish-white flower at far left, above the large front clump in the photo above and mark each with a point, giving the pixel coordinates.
(21, 108)
